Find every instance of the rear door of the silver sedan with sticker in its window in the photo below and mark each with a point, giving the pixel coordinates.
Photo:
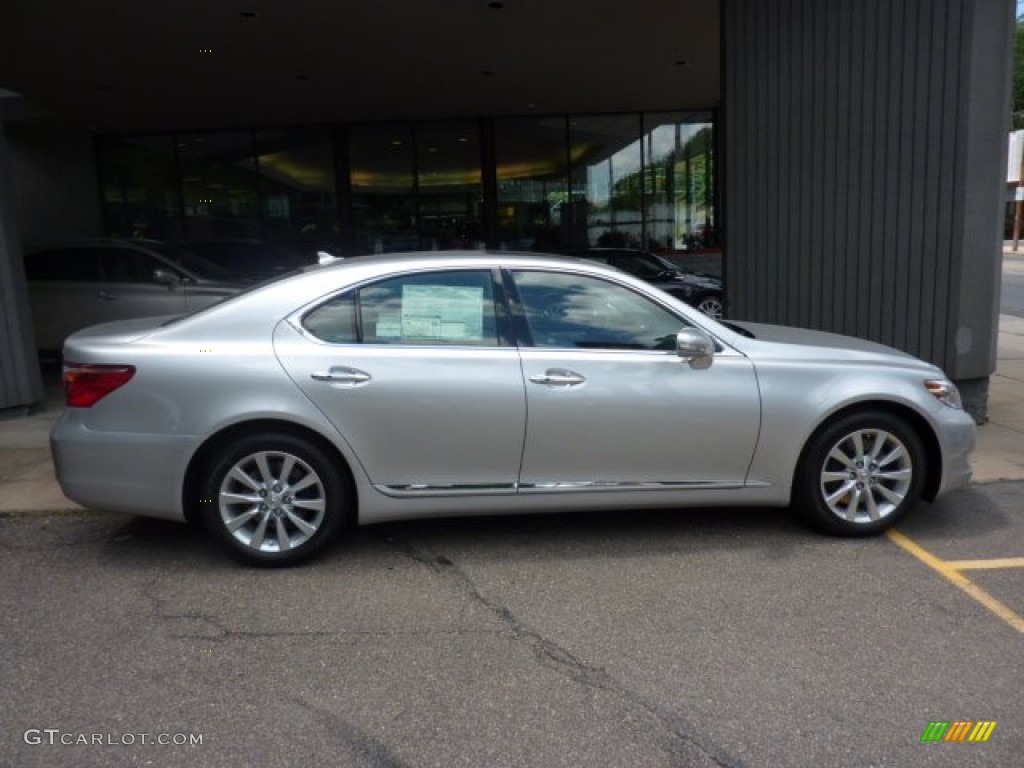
(419, 374)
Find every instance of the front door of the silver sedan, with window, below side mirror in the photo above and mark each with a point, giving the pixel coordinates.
(610, 403)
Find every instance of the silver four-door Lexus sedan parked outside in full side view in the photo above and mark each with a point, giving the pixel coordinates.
(447, 385)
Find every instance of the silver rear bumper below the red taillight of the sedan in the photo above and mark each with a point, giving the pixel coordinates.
(139, 475)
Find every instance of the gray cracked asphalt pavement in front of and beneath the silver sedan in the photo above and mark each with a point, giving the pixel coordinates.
(697, 638)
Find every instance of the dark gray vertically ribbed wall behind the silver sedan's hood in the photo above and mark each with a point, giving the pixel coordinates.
(864, 145)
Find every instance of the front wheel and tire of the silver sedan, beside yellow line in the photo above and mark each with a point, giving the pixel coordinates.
(879, 492)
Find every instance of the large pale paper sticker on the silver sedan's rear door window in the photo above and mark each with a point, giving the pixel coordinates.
(449, 313)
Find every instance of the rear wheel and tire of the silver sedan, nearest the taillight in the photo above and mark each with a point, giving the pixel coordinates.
(274, 499)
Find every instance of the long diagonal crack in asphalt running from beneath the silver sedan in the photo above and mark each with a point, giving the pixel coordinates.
(560, 659)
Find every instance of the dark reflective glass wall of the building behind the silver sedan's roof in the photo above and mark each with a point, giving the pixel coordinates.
(536, 184)
